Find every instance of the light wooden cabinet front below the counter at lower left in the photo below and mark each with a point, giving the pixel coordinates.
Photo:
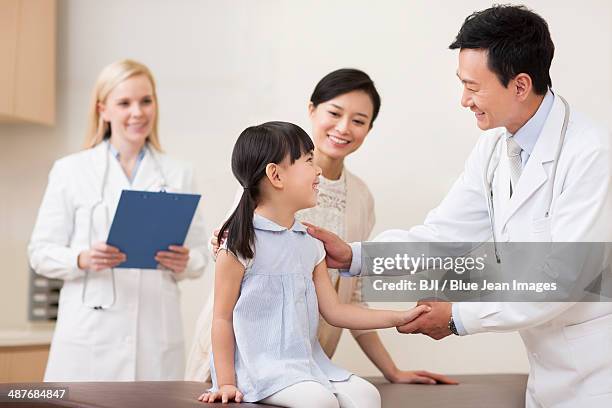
(23, 363)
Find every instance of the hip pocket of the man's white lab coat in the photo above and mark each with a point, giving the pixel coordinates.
(590, 343)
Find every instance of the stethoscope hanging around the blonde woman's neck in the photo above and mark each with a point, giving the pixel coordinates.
(100, 203)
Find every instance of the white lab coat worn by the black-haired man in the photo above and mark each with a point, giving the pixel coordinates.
(569, 345)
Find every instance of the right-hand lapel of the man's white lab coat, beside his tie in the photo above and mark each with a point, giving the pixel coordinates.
(535, 173)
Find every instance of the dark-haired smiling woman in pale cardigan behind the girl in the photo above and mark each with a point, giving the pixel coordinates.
(342, 109)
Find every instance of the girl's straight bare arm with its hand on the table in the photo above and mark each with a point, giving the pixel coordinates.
(228, 277)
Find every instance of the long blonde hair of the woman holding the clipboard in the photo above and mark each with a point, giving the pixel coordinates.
(111, 76)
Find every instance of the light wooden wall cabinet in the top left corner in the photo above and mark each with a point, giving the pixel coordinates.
(27, 61)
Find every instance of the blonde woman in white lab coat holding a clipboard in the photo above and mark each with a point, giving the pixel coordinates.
(114, 324)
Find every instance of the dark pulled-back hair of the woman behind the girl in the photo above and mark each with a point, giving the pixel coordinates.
(343, 81)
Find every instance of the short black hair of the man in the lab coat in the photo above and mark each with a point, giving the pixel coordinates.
(517, 41)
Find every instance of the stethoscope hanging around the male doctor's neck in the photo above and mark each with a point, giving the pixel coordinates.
(489, 175)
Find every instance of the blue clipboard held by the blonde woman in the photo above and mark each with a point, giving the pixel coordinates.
(146, 222)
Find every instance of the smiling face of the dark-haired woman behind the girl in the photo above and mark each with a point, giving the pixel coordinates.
(341, 124)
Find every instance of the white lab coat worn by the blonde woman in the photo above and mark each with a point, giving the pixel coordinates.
(141, 336)
